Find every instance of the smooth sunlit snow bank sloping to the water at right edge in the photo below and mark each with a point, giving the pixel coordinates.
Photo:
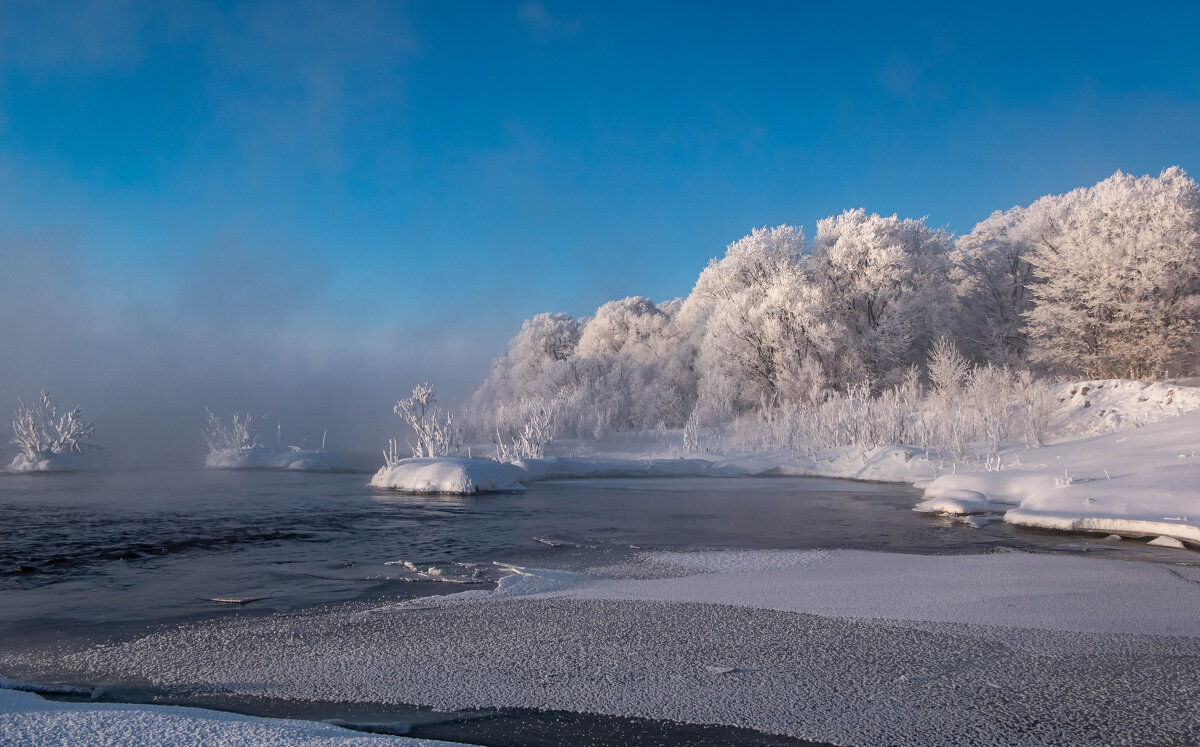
(1141, 482)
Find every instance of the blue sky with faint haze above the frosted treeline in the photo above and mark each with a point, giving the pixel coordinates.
(413, 180)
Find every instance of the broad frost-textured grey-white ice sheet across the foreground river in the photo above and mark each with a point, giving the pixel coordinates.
(839, 647)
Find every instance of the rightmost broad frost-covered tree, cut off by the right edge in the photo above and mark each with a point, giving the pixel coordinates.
(1118, 278)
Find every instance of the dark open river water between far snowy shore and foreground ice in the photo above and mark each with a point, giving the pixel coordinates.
(119, 548)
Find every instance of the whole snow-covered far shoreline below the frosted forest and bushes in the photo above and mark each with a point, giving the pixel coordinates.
(1139, 477)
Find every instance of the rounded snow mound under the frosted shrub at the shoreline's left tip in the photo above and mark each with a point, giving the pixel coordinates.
(453, 475)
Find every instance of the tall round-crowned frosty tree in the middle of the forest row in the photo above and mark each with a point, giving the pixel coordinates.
(889, 290)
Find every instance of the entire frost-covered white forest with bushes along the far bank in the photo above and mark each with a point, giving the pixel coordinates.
(879, 330)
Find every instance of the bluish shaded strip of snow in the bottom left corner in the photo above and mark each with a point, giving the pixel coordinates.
(31, 721)
